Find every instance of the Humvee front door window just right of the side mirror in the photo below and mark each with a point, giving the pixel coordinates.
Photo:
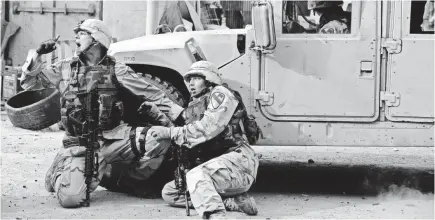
(317, 17)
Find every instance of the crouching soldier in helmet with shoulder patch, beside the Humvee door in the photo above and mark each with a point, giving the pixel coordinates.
(212, 128)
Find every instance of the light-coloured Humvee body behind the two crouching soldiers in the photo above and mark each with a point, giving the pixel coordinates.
(373, 86)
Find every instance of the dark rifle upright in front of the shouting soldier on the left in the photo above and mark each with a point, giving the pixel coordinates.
(88, 138)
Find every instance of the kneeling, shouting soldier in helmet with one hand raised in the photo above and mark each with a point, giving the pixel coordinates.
(119, 142)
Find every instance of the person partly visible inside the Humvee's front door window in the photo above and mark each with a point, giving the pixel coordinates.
(333, 19)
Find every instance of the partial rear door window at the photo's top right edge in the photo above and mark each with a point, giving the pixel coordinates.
(422, 17)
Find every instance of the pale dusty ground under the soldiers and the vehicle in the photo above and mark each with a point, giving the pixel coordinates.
(26, 155)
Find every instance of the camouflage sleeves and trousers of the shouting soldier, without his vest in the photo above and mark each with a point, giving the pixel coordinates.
(66, 174)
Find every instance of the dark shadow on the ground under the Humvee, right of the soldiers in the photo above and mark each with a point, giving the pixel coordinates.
(338, 179)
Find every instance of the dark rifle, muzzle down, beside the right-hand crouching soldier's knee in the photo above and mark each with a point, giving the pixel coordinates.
(183, 165)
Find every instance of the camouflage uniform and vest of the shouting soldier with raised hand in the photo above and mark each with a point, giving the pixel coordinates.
(117, 140)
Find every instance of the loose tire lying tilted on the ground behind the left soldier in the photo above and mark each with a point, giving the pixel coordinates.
(34, 110)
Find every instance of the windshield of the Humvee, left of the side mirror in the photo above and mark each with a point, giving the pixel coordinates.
(225, 14)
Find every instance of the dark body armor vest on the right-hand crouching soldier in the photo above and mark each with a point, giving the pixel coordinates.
(225, 141)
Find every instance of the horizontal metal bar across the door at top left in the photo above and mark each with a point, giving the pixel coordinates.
(91, 10)
